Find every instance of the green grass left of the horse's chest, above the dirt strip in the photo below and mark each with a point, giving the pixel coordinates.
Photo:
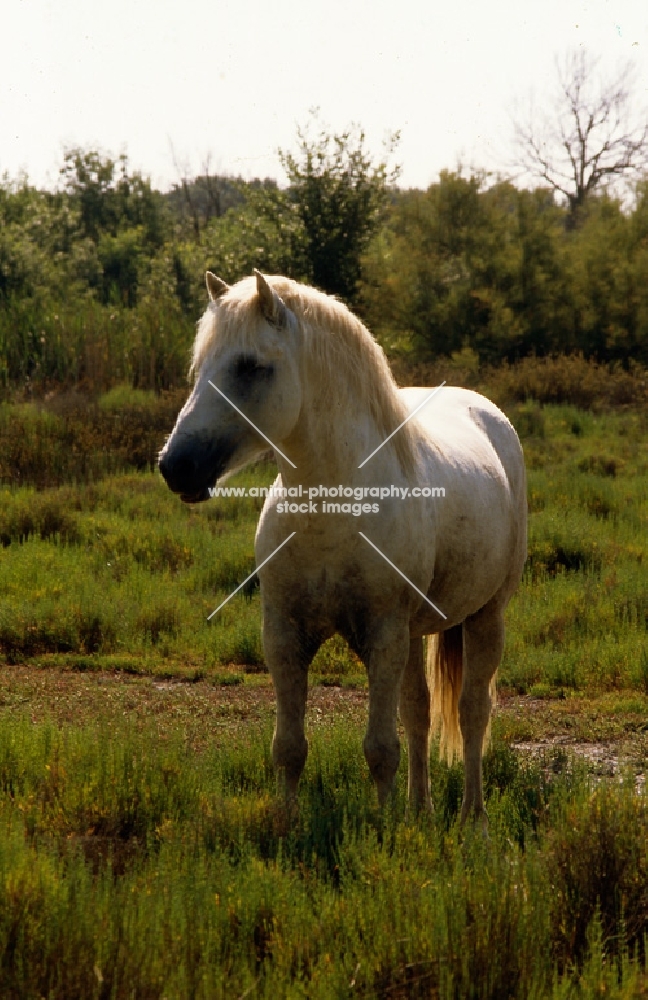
(122, 567)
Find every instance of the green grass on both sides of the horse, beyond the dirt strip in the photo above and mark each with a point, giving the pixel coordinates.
(120, 567)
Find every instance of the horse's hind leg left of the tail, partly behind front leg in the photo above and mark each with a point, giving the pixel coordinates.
(415, 716)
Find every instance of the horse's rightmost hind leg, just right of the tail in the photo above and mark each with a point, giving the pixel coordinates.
(483, 648)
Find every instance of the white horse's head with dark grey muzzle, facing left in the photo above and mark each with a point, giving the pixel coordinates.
(253, 370)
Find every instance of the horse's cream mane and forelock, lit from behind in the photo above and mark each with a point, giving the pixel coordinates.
(334, 342)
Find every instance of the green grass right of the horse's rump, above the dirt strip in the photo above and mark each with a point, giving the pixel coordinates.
(580, 619)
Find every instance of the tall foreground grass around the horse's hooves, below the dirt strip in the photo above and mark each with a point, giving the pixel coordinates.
(134, 866)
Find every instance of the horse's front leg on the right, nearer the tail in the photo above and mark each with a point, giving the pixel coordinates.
(385, 660)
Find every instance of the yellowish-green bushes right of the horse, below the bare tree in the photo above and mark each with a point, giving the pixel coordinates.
(502, 271)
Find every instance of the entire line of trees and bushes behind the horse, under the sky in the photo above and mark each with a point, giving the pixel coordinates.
(101, 279)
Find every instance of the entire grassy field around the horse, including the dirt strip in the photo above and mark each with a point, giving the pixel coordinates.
(142, 850)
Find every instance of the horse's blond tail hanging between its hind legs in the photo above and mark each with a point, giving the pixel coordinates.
(445, 674)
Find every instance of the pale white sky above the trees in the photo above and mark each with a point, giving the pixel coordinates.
(232, 78)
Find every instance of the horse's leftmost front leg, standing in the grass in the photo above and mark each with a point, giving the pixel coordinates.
(288, 658)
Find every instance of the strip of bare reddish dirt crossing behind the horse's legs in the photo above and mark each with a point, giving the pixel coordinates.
(609, 732)
